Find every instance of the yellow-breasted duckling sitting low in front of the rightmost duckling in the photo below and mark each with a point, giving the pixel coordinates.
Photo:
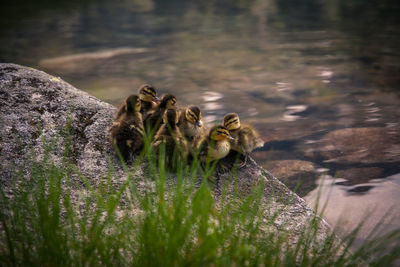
(216, 145)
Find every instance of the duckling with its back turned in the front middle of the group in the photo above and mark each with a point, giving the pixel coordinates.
(169, 134)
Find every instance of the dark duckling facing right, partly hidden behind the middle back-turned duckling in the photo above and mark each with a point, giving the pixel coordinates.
(154, 117)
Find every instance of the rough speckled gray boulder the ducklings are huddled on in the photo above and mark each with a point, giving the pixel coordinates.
(36, 106)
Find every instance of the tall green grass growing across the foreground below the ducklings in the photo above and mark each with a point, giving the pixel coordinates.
(55, 216)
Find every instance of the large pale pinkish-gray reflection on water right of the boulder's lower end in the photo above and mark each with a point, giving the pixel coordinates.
(347, 207)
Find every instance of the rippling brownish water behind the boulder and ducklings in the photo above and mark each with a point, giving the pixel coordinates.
(319, 79)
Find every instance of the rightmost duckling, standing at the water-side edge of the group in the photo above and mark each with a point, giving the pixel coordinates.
(245, 137)
